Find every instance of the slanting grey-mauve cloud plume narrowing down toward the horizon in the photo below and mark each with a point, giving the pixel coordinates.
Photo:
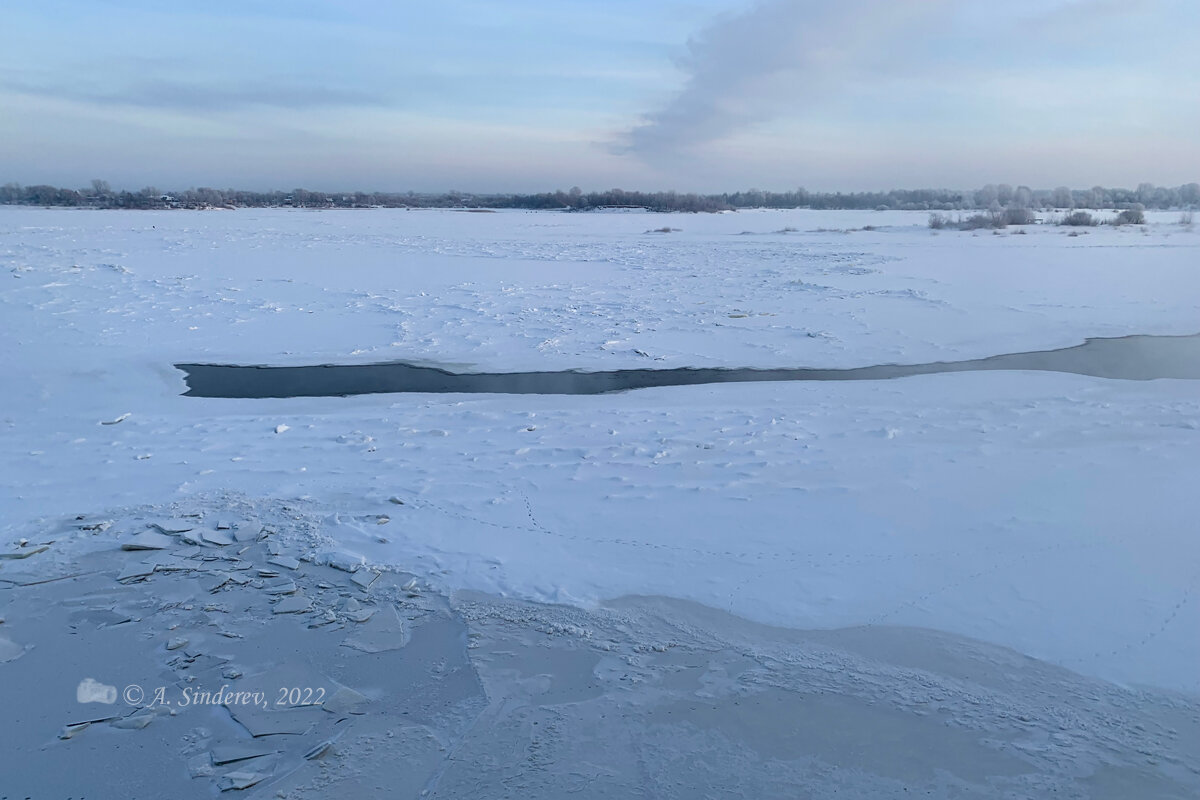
(777, 58)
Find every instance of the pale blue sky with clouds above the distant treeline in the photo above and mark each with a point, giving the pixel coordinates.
(527, 95)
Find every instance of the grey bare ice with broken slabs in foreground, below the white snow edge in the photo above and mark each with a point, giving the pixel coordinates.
(479, 691)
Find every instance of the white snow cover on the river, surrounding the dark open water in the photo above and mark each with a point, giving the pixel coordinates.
(1051, 514)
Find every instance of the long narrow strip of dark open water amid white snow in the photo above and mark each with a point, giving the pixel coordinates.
(1129, 358)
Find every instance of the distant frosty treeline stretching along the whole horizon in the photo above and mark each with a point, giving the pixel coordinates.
(992, 197)
